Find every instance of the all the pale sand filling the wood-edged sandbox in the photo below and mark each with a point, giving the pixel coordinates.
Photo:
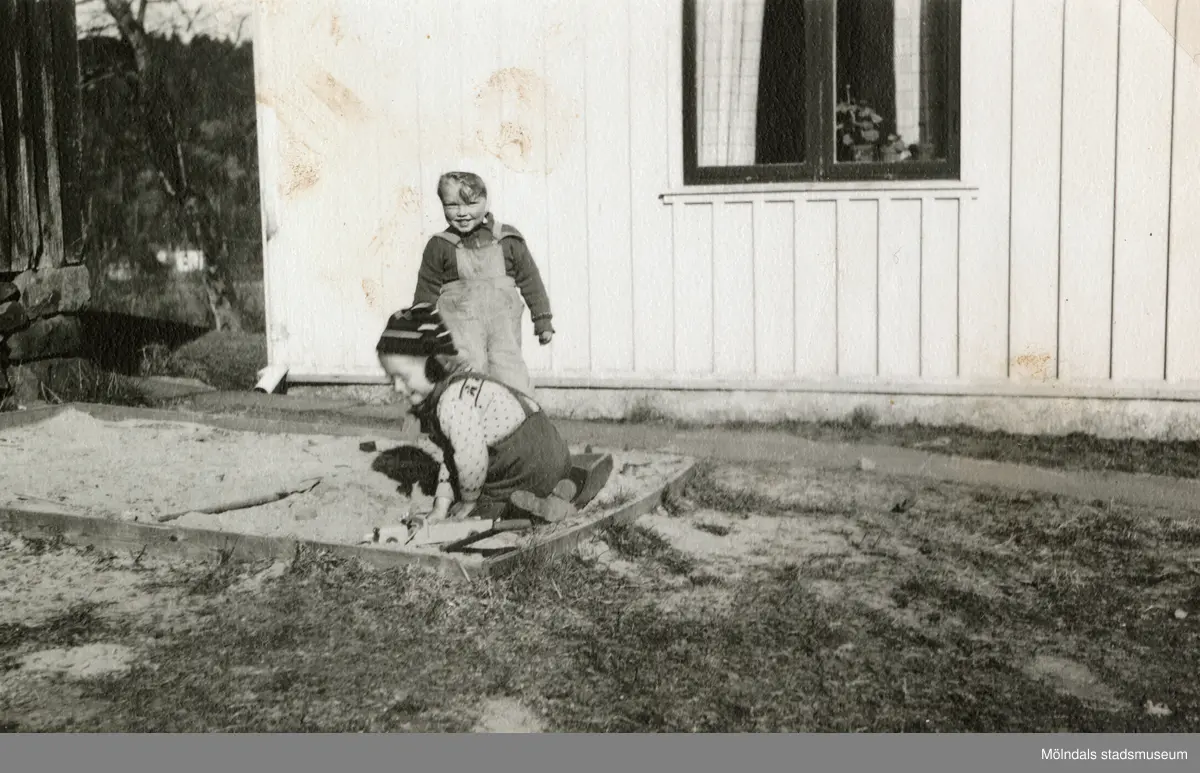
(139, 470)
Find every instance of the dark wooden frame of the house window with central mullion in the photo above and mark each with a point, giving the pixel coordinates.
(820, 32)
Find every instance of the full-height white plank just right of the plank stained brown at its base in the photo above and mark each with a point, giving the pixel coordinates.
(1089, 166)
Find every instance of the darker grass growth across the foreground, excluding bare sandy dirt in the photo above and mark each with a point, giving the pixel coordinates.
(939, 642)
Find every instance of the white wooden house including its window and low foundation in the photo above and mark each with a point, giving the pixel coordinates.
(1028, 256)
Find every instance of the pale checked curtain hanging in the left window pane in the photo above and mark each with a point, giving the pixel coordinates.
(729, 35)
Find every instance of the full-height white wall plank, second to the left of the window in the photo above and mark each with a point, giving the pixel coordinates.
(608, 123)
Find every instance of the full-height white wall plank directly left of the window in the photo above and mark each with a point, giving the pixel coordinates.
(650, 176)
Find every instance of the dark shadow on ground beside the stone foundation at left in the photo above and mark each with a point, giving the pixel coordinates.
(115, 341)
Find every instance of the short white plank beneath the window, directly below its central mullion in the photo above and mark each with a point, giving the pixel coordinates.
(817, 290)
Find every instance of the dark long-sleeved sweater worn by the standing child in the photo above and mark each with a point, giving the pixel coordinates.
(440, 267)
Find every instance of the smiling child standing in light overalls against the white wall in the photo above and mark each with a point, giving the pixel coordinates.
(477, 273)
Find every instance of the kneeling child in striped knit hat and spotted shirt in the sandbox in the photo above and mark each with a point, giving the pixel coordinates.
(502, 456)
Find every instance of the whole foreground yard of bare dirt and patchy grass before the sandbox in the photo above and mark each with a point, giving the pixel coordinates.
(770, 598)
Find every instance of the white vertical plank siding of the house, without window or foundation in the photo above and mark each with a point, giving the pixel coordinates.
(1070, 250)
